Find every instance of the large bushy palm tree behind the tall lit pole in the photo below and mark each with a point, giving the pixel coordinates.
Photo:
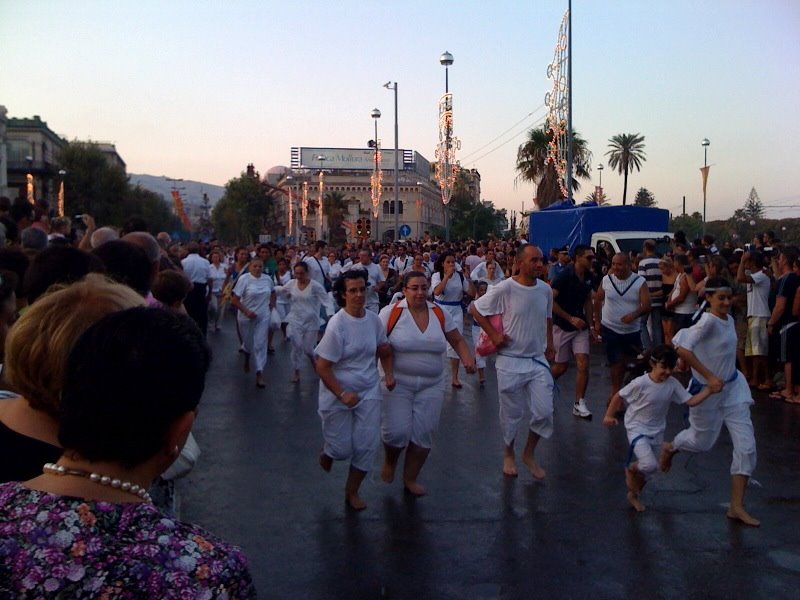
(532, 165)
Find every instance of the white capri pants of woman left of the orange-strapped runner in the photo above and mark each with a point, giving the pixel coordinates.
(353, 433)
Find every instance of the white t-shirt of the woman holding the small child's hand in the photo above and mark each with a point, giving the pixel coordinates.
(713, 341)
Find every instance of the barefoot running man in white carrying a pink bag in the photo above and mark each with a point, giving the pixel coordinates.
(525, 344)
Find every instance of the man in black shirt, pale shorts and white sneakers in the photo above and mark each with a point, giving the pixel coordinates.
(572, 323)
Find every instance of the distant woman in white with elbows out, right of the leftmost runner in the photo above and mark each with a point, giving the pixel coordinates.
(306, 297)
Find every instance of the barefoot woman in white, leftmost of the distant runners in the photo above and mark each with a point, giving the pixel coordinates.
(254, 297)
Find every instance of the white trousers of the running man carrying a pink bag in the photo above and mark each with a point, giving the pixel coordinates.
(533, 389)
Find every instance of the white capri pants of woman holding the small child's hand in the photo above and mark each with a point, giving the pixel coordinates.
(705, 423)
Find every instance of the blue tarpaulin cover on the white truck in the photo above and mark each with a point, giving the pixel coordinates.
(560, 225)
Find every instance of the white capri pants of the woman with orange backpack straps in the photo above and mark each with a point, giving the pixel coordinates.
(411, 411)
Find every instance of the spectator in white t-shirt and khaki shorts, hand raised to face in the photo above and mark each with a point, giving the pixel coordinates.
(756, 346)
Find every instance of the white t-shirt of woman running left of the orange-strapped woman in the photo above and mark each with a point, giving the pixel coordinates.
(350, 344)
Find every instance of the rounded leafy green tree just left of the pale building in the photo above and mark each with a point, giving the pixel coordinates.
(240, 214)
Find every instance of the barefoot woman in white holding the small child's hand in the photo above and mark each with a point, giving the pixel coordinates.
(709, 348)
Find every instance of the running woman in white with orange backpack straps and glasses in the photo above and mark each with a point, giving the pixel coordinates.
(418, 332)
